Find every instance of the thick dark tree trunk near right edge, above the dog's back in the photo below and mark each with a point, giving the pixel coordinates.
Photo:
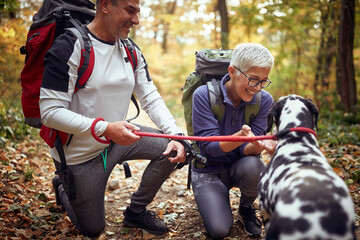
(346, 83)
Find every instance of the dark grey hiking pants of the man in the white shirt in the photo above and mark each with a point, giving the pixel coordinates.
(87, 211)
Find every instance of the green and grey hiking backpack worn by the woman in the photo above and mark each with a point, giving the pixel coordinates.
(210, 67)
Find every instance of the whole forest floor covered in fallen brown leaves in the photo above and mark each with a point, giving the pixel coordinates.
(28, 209)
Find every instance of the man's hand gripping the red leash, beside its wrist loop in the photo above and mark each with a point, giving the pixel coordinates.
(121, 133)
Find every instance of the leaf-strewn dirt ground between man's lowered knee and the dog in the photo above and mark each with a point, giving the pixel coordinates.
(174, 203)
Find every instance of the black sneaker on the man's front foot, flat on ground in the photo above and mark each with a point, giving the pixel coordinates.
(146, 220)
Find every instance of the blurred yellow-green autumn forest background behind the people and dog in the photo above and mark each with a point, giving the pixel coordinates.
(316, 45)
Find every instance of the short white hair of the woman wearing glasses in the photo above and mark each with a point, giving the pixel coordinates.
(247, 55)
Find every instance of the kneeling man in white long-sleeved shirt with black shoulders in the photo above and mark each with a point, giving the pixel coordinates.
(98, 110)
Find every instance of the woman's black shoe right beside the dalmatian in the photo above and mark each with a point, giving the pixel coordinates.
(251, 223)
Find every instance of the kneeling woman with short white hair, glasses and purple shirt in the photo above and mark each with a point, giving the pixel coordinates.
(232, 163)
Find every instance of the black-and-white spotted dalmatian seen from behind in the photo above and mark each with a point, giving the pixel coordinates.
(300, 196)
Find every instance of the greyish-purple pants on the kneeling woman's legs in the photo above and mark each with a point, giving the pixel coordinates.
(212, 195)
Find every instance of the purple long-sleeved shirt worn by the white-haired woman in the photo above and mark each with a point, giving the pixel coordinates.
(205, 124)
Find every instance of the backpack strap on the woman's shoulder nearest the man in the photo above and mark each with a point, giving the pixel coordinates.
(216, 99)
